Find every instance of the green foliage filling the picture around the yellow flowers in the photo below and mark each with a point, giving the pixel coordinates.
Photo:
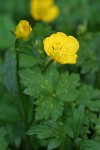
(60, 107)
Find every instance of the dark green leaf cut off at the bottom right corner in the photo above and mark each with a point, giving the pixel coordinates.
(89, 145)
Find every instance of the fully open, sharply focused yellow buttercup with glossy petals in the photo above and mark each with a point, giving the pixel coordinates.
(61, 48)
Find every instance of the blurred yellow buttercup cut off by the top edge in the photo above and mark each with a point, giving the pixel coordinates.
(44, 10)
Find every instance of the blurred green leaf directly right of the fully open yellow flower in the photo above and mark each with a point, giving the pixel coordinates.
(87, 59)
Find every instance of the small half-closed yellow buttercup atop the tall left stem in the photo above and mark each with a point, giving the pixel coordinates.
(23, 30)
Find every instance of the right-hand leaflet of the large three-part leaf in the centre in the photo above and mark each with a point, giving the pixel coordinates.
(67, 87)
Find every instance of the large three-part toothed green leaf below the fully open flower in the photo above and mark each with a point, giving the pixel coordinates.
(50, 90)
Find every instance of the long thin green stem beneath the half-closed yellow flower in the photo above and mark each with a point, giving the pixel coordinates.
(22, 102)
